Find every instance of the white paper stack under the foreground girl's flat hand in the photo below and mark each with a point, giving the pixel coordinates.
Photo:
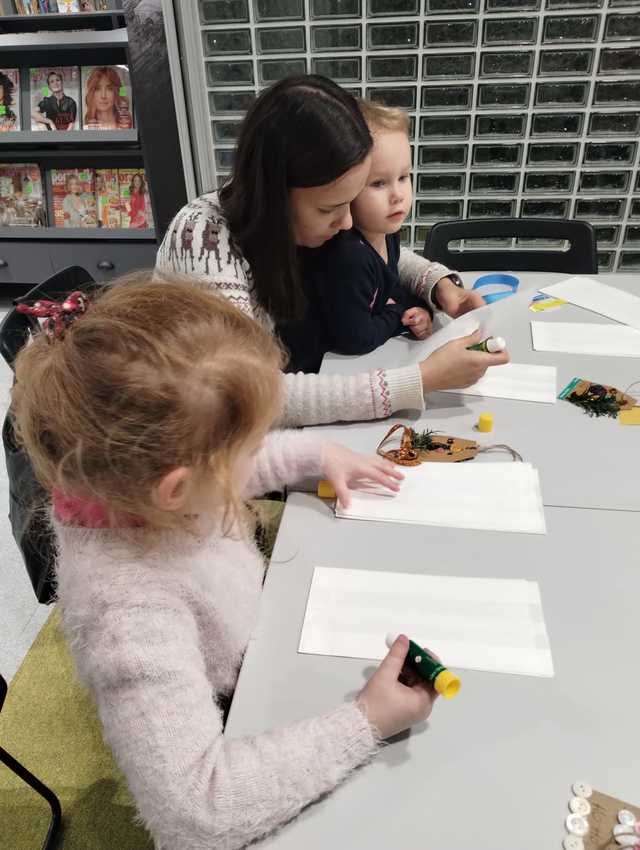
(492, 496)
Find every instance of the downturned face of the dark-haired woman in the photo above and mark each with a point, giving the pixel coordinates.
(319, 212)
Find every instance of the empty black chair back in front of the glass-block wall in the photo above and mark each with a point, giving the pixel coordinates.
(579, 258)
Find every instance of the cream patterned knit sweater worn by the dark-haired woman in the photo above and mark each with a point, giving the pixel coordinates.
(197, 243)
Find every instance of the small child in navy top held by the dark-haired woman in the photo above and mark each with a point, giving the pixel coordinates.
(356, 301)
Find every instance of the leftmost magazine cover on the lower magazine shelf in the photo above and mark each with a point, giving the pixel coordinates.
(21, 196)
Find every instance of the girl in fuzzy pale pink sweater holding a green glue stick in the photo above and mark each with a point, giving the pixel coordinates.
(148, 417)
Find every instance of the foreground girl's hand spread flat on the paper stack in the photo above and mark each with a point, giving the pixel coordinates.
(348, 470)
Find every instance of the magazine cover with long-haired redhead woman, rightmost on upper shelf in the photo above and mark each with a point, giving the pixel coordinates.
(106, 98)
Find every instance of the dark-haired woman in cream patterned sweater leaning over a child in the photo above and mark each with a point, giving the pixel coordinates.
(303, 155)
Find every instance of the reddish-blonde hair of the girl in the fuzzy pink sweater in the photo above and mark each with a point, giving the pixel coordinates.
(159, 373)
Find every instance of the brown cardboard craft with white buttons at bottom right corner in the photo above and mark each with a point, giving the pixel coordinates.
(599, 822)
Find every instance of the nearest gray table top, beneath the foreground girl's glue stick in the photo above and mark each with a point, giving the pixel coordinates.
(494, 767)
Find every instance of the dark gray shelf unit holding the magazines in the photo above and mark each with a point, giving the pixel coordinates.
(29, 255)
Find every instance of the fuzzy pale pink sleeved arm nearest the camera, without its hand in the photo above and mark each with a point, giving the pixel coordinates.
(195, 788)
